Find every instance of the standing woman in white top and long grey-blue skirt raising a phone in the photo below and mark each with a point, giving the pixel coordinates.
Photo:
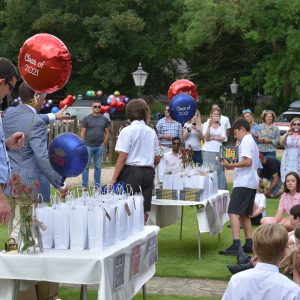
(214, 134)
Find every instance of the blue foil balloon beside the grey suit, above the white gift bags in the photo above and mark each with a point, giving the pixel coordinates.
(68, 155)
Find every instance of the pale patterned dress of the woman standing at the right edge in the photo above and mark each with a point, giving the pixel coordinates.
(291, 156)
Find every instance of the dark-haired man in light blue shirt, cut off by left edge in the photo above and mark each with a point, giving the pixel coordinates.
(8, 79)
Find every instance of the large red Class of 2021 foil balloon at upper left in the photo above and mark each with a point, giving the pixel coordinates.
(45, 63)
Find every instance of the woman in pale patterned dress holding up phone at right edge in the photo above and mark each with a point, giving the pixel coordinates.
(291, 156)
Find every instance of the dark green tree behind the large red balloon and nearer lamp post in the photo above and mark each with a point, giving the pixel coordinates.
(107, 39)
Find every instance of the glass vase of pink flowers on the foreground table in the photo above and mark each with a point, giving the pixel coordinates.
(26, 198)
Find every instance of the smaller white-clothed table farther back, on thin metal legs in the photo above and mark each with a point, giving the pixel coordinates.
(211, 213)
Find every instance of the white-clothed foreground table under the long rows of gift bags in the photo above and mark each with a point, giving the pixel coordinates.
(85, 267)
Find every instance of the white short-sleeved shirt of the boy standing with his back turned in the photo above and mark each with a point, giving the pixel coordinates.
(140, 142)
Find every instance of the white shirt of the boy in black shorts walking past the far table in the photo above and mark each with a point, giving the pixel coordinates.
(247, 177)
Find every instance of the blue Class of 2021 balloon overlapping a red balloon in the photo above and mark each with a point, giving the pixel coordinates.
(182, 107)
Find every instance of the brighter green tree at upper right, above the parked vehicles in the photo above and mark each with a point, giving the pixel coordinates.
(255, 41)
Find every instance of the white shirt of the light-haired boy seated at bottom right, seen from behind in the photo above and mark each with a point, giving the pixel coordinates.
(264, 282)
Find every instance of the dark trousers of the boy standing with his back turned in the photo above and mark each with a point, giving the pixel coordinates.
(139, 178)
